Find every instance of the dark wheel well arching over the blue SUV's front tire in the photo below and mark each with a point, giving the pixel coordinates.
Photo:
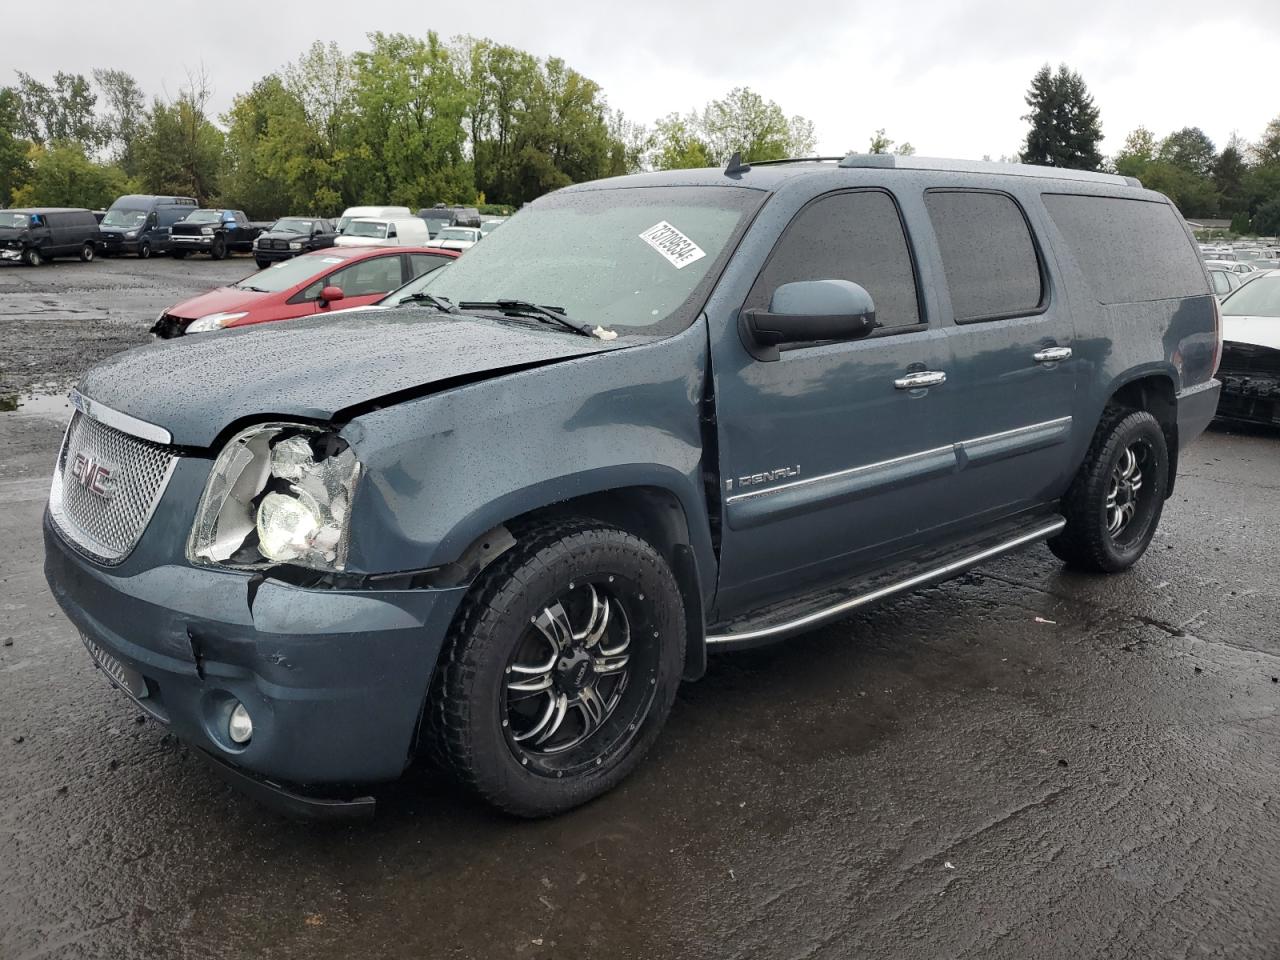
(656, 516)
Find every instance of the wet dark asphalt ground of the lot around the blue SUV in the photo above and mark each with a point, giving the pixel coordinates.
(1021, 764)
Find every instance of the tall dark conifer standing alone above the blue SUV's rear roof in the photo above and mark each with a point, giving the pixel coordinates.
(1066, 130)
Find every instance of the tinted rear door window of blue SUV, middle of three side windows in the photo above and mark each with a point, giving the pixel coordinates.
(988, 254)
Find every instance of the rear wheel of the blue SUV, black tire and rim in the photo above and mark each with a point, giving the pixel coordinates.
(1100, 497)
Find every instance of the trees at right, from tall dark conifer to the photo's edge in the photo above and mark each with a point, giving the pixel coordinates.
(1241, 182)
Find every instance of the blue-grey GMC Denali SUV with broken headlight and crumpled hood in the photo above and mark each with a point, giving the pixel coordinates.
(652, 418)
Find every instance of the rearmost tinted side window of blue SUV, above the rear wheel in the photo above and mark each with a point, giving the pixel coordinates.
(1131, 252)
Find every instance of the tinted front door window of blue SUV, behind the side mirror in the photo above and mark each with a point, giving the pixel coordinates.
(854, 237)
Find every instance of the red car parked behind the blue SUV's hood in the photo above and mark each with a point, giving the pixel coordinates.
(314, 284)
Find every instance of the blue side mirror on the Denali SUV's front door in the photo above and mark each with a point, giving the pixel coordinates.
(810, 312)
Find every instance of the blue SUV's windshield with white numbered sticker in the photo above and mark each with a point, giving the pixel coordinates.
(637, 258)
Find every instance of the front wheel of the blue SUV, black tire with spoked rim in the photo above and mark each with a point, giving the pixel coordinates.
(474, 719)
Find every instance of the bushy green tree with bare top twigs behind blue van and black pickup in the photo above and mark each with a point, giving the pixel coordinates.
(182, 152)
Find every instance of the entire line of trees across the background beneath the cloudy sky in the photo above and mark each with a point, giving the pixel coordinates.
(417, 121)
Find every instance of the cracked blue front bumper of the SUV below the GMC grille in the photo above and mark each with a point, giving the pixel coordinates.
(335, 680)
